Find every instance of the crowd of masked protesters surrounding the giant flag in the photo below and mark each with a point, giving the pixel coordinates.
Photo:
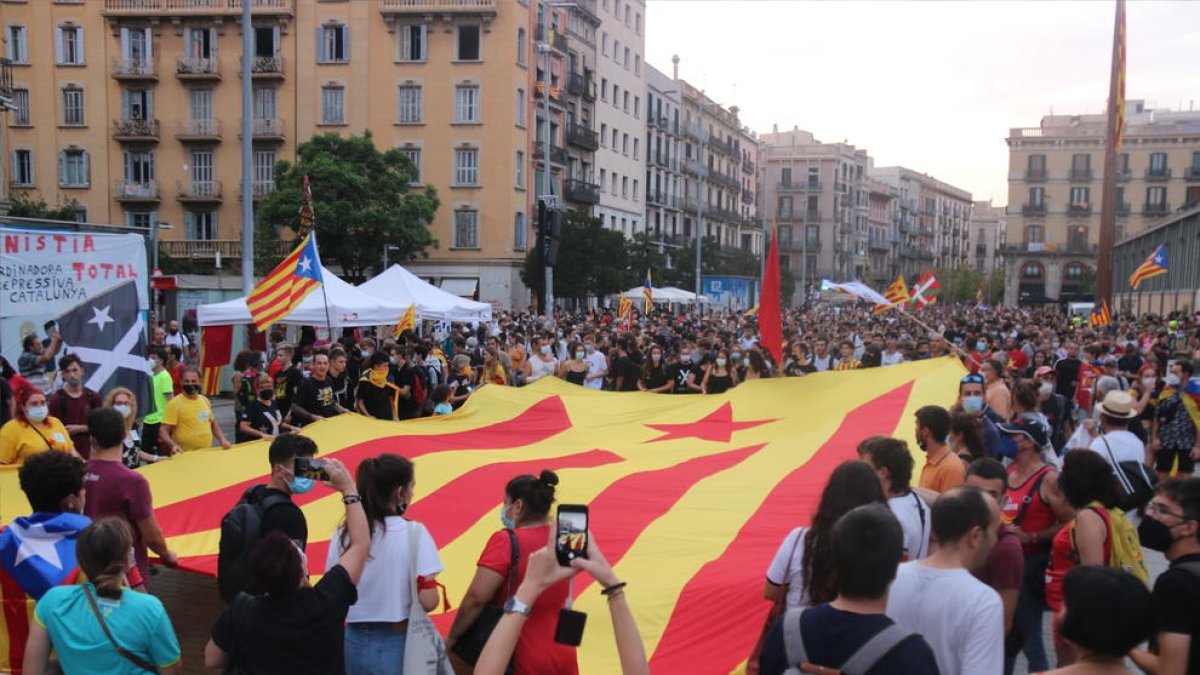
(1016, 512)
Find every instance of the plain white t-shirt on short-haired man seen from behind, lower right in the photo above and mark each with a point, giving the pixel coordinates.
(961, 617)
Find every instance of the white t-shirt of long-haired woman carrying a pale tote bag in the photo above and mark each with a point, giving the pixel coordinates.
(386, 588)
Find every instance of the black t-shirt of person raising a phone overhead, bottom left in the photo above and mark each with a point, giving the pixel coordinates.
(302, 632)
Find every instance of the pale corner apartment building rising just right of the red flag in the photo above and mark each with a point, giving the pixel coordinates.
(818, 195)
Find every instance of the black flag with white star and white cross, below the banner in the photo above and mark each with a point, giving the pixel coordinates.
(109, 336)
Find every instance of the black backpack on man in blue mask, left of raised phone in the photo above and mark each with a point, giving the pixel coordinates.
(241, 531)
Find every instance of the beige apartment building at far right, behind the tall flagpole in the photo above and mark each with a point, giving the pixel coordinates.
(1054, 194)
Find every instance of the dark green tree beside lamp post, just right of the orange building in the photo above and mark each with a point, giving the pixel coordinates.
(592, 261)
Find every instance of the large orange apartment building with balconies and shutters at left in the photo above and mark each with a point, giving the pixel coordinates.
(134, 110)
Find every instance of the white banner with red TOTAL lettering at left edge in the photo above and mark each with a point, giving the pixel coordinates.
(46, 273)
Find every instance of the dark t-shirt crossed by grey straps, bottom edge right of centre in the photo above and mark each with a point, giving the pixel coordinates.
(832, 636)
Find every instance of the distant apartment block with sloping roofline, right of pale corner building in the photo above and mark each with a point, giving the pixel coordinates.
(933, 223)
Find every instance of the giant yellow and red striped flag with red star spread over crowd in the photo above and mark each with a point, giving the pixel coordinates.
(691, 497)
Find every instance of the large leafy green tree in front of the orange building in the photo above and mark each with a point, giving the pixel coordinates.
(362, 201)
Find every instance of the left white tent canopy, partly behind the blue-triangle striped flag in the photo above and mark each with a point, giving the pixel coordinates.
(347, 307)
